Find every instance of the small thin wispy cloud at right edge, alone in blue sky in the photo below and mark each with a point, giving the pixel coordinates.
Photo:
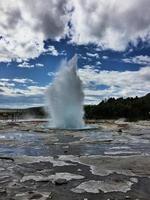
(142, 60)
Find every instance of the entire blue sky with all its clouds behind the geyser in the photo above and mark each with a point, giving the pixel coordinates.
(111, 39)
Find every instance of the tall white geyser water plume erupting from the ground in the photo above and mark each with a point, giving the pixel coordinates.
(65, 97)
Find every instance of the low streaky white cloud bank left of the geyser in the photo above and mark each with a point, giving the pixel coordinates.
(29, 94)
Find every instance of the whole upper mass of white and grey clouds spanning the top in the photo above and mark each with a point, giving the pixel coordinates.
(26, 24)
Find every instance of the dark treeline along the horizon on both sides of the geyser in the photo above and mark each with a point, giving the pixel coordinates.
(137, 108)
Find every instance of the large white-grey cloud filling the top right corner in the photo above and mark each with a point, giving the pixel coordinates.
(110, 24)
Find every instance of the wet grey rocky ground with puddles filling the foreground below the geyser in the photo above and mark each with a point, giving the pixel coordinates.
(109, 162)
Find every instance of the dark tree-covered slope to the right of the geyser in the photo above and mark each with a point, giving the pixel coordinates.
(130, 108)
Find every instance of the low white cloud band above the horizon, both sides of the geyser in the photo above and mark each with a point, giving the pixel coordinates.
(118, 84)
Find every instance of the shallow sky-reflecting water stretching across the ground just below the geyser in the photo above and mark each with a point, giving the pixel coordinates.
(80, 142)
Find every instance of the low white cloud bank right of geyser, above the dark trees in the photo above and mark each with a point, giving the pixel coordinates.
(118, 84)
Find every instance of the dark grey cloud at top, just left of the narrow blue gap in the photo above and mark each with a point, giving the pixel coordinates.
(51, 22)
